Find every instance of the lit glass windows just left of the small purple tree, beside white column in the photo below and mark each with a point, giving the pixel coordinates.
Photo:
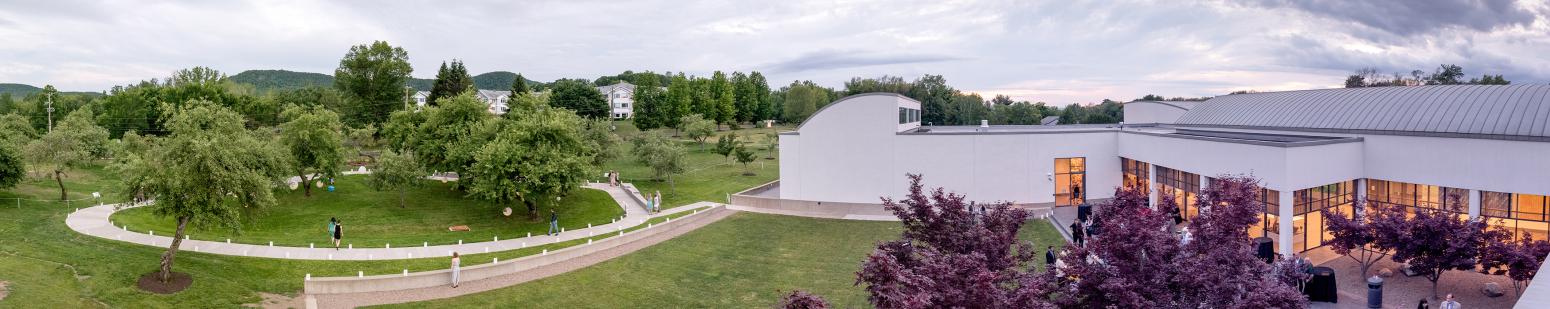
(1307, 224)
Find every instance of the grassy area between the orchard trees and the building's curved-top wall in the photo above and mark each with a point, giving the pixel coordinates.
(708, 176)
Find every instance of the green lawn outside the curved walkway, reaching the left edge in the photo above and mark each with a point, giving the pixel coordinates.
(49, 266)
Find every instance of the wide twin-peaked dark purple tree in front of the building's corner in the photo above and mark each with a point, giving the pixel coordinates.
(1137, 263)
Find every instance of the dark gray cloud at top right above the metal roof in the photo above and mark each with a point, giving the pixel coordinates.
(1411, 18)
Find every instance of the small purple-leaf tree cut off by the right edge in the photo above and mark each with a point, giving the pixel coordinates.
(1520, 259)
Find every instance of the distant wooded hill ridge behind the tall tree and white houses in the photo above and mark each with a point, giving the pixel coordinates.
(284, 80)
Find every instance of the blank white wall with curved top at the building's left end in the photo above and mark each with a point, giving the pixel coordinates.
(850, 153)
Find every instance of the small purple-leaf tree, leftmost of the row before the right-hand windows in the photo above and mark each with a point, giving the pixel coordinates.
(1365, 238)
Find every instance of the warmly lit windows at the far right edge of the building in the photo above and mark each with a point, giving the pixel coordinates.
(1518, 214)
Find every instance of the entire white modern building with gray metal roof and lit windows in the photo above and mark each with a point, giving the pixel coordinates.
(1312, 150)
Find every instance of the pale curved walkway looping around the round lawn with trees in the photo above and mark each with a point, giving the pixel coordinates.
(95, 221)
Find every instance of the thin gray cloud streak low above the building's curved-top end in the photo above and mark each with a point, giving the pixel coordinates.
(830, 60)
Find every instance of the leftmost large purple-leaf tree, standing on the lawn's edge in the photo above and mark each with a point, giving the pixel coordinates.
(951, 257)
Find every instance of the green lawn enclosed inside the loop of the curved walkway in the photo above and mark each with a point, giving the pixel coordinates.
(373, 220)
